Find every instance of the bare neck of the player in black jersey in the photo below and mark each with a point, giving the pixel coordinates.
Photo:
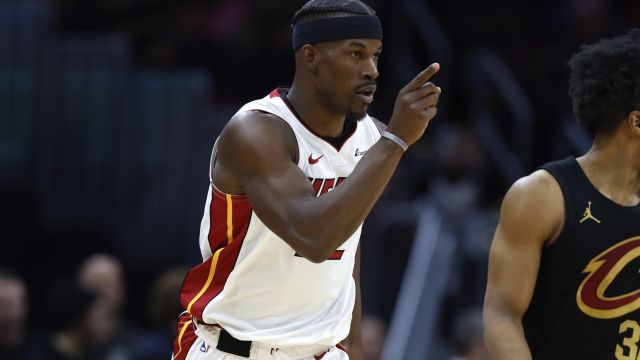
(613, 167)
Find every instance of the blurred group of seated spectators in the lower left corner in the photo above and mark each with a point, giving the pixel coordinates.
(85, 318)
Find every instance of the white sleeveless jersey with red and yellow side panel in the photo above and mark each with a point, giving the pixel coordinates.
(252, 283)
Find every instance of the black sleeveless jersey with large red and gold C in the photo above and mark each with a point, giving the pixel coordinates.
(586, 302)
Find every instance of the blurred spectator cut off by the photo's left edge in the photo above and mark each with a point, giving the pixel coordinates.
(13, 314)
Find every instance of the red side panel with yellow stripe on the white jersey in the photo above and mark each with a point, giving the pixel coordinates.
(205, 281)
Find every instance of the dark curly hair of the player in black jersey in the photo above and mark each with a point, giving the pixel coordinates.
(605, 82)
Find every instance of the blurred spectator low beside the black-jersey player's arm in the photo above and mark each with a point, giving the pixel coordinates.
(468, 336)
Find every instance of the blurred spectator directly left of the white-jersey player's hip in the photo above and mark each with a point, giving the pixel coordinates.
(163, 309)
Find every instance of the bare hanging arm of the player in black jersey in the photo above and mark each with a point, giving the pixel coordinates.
(531, 216)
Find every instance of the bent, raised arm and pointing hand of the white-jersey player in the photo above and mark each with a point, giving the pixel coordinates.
(255, 158)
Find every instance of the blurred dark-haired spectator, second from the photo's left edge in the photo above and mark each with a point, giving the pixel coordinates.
(71, 315)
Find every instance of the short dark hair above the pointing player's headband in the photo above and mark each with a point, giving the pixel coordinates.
(322, 9)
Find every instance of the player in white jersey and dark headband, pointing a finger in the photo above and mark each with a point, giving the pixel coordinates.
(293, 176)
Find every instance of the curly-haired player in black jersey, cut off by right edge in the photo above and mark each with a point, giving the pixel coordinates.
(563, 268)
